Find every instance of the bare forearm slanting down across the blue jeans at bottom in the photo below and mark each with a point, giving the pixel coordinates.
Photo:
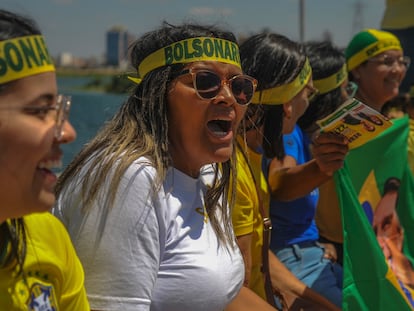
(286, 282)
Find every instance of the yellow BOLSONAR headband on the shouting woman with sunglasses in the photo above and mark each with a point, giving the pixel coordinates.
(188, 51)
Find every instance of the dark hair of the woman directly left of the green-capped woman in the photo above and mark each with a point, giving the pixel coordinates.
(325, 60)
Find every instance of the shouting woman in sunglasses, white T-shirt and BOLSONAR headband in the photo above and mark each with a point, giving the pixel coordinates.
(146, 200)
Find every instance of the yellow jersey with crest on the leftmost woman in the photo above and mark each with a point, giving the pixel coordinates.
(52, 277)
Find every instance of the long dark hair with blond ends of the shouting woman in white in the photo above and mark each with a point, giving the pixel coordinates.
(140, 129)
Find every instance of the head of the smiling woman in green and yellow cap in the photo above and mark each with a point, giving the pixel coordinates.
(376, 63)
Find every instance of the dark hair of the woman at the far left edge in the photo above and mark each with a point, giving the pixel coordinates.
(12, 232)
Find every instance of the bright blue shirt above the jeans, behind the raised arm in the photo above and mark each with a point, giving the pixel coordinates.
(294, 221)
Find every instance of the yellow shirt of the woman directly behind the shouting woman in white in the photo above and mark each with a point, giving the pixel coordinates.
(246, 215)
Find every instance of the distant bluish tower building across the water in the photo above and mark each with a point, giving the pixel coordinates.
(117, 42)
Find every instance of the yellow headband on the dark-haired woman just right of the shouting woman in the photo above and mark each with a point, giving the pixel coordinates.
(284, 93)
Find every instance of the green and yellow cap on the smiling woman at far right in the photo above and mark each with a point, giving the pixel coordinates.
(369, 43)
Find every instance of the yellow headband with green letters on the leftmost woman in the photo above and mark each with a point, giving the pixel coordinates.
(22, 57)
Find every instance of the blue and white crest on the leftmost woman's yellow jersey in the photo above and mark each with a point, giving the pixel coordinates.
(42, 298)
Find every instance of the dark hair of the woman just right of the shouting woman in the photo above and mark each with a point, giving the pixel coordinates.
(273, 60)
